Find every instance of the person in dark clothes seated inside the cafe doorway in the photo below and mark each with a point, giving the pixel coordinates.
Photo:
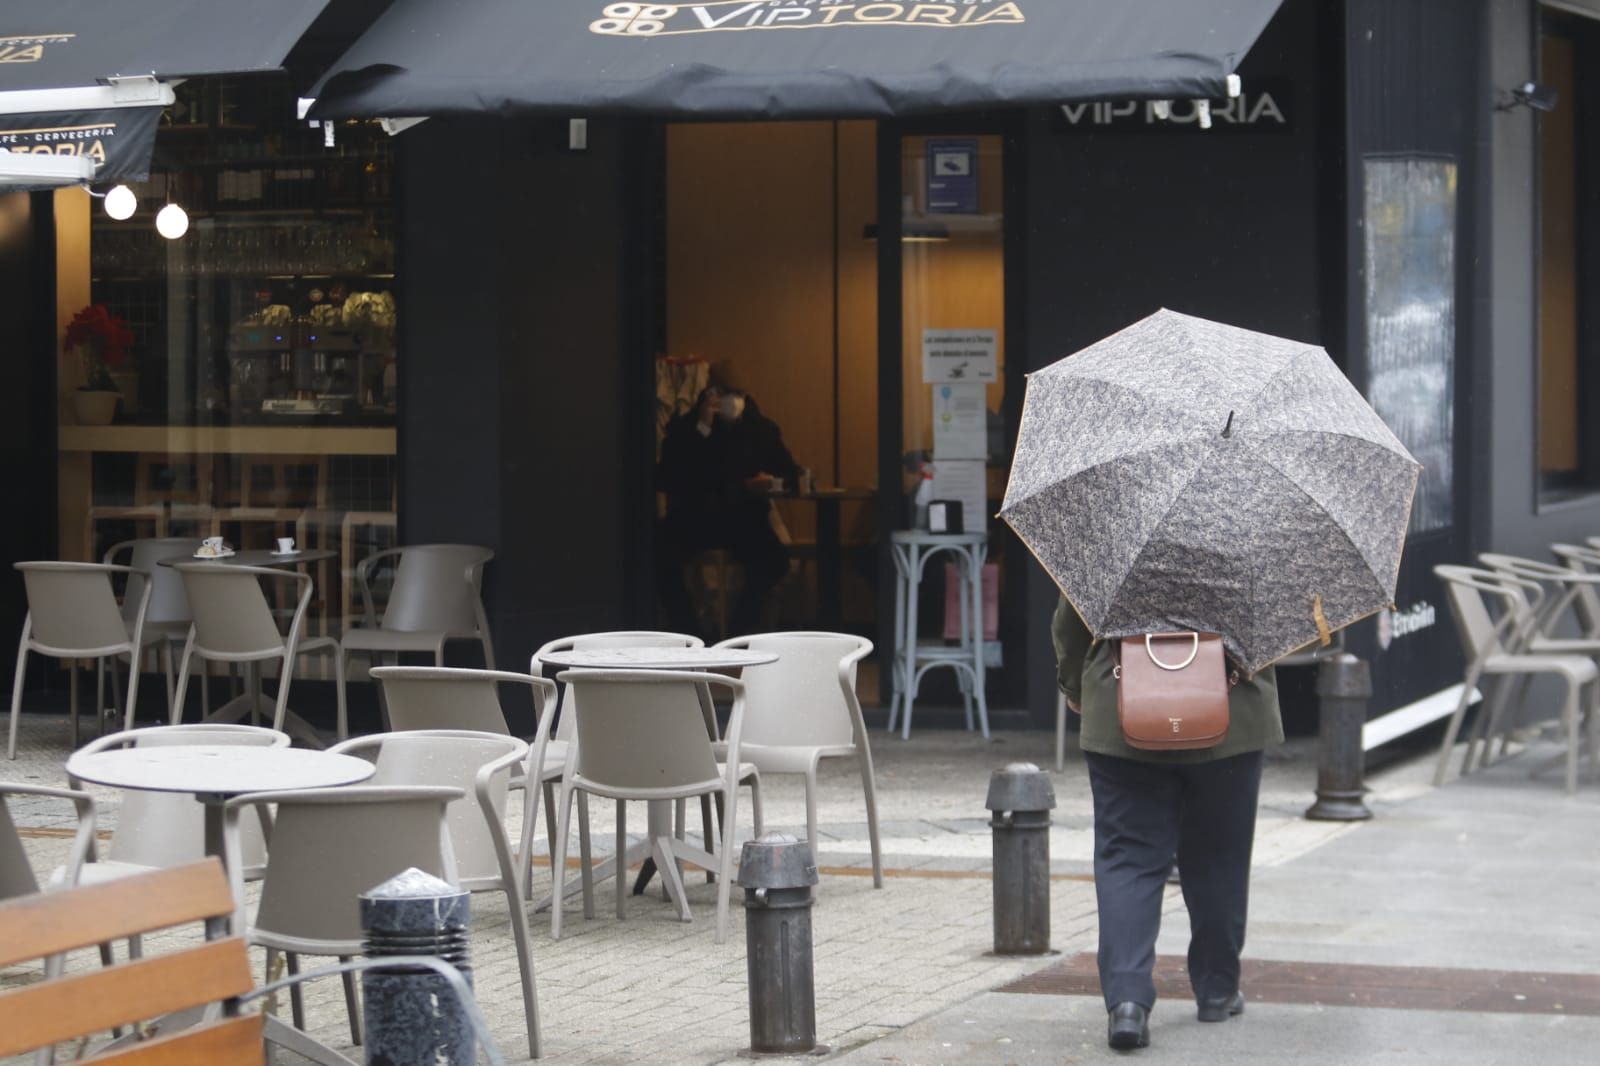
(719, 467)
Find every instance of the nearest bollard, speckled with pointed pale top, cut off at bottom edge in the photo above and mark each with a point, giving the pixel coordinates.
(412, 1017)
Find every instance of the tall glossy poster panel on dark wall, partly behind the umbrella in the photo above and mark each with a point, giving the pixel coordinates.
(1410, 226)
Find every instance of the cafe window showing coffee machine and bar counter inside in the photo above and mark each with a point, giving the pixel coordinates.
(250, 363)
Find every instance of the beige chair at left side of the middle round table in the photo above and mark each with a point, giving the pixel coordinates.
(449, 699)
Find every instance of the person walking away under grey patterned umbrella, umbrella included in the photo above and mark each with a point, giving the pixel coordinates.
(1193, 478)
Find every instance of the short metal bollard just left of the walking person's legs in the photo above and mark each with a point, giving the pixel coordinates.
(1022, 799)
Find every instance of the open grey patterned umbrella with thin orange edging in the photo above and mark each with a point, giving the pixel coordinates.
(1186, 475)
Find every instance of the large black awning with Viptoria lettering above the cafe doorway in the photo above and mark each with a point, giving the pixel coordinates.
(783, 58)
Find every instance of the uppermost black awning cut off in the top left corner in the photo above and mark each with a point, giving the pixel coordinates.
(66, 44)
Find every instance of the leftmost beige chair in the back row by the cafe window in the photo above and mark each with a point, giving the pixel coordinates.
(73, 614)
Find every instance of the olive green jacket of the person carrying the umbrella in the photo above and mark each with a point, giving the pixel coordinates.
(1084, 670)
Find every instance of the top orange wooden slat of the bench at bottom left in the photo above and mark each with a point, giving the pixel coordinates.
(50, 923)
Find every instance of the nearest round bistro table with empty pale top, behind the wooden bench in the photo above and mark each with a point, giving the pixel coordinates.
(217, 774)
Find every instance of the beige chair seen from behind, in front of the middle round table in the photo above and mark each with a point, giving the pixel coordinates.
(639, 737)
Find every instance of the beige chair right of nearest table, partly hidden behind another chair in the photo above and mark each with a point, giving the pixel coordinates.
(482, 766)
